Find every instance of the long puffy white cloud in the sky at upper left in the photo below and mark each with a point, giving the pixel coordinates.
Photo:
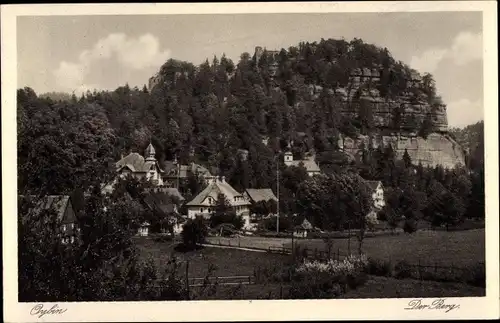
(131, 53)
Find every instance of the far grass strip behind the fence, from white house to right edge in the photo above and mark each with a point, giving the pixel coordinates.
(456, 248)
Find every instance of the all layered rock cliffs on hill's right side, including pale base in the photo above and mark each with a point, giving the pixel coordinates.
(438, 148)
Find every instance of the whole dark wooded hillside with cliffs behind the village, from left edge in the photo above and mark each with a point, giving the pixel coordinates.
(310, 98)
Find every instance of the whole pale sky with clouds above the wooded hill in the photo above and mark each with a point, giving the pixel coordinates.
(76, 53)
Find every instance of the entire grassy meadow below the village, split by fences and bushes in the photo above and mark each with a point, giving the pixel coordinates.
(448, 248)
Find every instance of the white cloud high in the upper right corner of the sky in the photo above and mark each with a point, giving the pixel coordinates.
(466, 47)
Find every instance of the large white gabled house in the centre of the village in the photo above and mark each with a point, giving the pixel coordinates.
(204, 203)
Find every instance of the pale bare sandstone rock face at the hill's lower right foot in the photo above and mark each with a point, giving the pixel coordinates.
(437, 149)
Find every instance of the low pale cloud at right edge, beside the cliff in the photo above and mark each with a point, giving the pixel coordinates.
(464, 112)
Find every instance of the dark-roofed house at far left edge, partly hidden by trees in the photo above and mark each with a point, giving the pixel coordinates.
(68, 231)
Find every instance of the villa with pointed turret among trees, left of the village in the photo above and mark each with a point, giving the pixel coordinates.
(139, 167)
